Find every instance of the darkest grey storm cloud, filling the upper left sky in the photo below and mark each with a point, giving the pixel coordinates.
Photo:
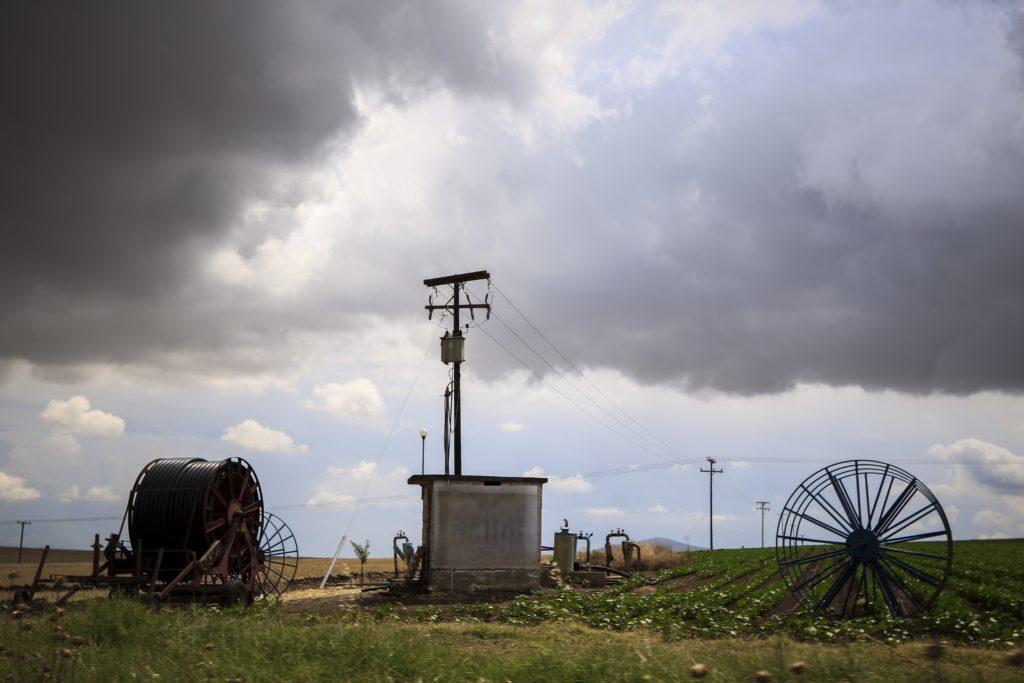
(133, 134)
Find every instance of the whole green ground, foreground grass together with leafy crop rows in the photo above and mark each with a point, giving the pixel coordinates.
(727, 610)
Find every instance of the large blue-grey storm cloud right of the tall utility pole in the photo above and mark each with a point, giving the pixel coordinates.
(846, 210)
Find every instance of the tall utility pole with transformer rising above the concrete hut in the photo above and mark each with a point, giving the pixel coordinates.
(453, 348)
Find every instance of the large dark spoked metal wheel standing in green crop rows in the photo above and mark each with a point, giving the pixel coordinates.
(848, 541)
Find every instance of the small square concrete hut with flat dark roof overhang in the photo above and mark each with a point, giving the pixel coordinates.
(482, 533)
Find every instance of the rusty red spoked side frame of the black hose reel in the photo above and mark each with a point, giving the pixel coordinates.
(236, 493)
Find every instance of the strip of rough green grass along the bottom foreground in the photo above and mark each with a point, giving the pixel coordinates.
(130, 643)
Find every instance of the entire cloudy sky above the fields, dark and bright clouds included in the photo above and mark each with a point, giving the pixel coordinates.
(780, 234)
